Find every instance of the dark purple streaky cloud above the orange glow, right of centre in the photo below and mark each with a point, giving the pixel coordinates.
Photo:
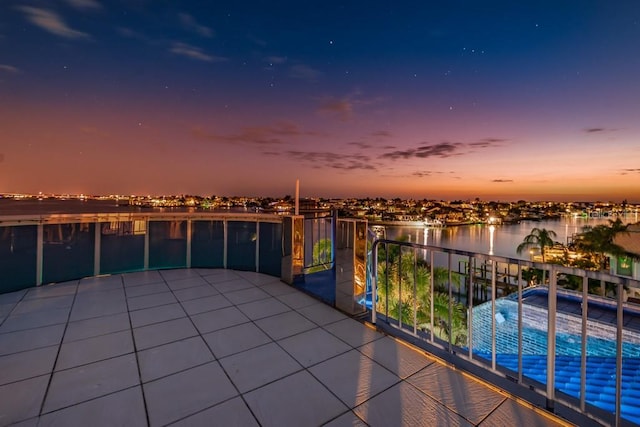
(443, 149)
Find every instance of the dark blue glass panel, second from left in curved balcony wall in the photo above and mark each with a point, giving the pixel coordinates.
(68, 251)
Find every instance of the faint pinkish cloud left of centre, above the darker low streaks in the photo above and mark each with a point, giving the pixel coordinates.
(275, 134)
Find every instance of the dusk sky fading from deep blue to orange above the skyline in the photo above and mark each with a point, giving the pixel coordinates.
(501, 100)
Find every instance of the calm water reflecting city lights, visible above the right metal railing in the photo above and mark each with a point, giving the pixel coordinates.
(500, 240)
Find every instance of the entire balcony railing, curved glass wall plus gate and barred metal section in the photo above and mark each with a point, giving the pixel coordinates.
(482, 309)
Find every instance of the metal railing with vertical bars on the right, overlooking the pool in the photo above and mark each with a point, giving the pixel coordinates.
(485, 309)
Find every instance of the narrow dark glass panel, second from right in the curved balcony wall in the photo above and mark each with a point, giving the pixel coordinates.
(241, 245)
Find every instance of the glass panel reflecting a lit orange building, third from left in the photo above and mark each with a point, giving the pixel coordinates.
(122, 246)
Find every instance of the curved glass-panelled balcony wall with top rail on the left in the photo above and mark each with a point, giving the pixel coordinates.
(55, 248)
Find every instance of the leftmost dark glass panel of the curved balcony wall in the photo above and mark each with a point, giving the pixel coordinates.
(17, 257)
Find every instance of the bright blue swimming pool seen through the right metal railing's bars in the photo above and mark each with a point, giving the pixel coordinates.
(600, 350)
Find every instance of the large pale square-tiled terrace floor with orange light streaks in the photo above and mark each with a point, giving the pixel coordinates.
(220, 347)
